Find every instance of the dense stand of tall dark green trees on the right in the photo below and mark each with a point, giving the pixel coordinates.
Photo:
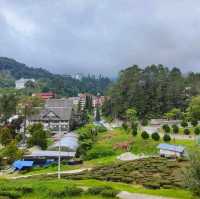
(151, 91)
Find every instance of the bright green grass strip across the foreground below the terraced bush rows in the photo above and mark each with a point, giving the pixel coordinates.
(41, 188)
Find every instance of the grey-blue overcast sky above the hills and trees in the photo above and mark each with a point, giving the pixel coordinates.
(101, 36)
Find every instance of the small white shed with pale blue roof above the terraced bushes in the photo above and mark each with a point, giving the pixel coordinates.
(168, 150)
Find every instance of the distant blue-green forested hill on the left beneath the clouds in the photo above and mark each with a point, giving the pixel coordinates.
(46, 81)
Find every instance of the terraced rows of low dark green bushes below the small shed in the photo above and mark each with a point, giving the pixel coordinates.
(153, 173)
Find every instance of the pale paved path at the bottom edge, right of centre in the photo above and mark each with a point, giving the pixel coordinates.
(127, 195)
